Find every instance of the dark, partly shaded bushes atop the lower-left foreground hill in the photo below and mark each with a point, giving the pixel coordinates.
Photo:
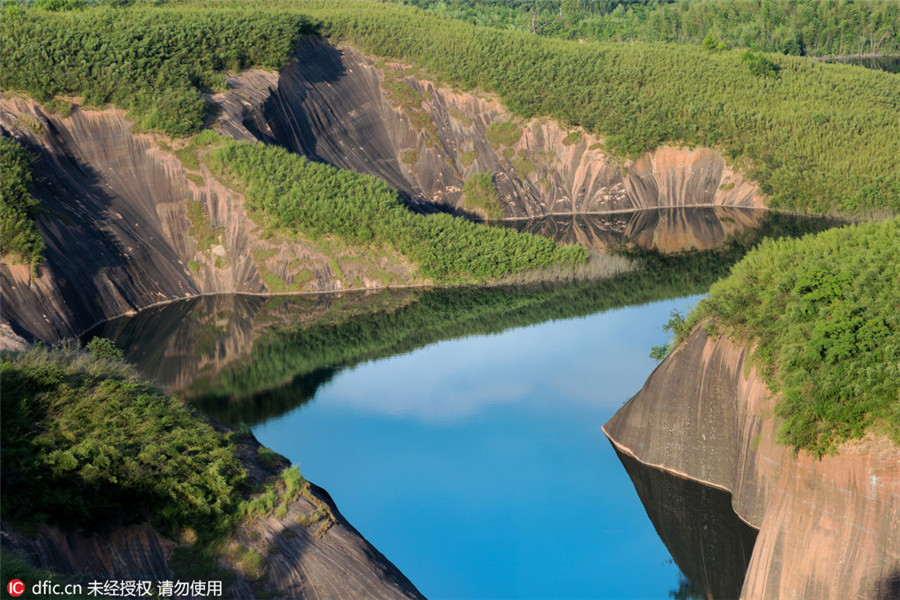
(87, 443)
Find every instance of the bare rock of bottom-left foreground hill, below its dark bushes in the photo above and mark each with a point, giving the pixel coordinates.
(310, 551)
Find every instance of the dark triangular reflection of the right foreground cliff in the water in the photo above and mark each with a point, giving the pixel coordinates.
(708, 541)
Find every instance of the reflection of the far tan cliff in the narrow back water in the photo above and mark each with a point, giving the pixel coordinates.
(661, 230)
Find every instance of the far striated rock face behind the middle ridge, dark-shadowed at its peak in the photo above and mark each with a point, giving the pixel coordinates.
(338, 106)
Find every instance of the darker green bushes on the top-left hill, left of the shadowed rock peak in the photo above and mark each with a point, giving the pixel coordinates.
(156, 61)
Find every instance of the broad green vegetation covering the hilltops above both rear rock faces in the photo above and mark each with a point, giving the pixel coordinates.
(818, 137)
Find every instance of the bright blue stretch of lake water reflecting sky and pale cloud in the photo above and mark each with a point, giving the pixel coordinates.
(479, 468)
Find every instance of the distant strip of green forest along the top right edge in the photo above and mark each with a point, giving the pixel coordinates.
(811, 28)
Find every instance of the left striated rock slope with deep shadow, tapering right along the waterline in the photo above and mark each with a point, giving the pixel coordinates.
(119, 235)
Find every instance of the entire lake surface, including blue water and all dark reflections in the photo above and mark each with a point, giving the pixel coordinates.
(459, 430)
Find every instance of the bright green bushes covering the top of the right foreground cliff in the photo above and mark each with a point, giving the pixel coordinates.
(824, 312)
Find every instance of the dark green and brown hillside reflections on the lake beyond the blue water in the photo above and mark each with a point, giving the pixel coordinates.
(249, 358)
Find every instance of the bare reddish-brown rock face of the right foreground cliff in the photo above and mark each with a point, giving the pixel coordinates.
(827, 529)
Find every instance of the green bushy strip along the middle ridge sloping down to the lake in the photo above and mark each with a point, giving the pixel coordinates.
(316, 200)
